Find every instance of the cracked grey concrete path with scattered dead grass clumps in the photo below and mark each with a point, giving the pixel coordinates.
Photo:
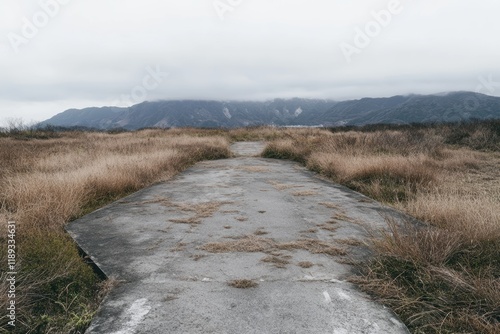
(244, 245)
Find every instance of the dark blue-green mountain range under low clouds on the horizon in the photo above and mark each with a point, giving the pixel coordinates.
(197, 113)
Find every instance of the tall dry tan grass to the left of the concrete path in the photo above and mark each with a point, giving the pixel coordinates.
(46, 183)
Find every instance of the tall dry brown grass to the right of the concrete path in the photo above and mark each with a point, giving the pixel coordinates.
(443, 278)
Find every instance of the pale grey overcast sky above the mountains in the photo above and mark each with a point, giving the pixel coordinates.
(60, 54)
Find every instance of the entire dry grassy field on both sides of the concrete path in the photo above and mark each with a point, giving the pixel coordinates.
(440, 278)
